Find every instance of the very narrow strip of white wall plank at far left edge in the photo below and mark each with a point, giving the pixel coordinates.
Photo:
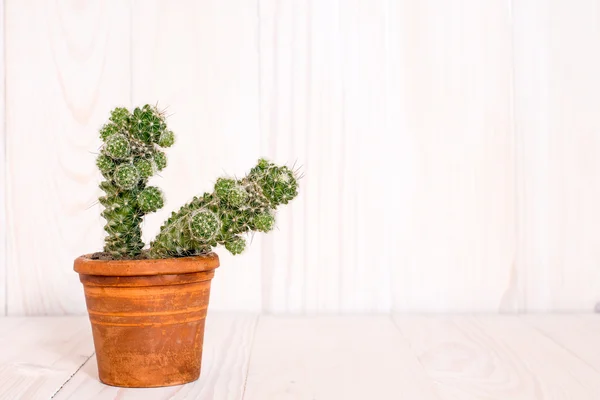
(3, 238)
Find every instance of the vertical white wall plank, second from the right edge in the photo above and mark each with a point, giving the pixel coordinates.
(450, 229)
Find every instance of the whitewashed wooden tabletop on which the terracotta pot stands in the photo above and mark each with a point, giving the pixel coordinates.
(354, 357)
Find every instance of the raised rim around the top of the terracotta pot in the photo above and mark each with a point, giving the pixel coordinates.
(160, 266)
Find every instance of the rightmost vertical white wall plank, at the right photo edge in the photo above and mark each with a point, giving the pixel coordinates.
(556, 100)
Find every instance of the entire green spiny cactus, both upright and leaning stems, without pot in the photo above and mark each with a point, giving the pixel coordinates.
(130, 156)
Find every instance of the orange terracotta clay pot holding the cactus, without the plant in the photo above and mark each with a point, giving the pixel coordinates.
(147, 317)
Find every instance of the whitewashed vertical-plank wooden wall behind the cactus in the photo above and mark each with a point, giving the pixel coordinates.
(451, 148)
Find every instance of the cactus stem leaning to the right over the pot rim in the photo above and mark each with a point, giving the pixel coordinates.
(234, 208)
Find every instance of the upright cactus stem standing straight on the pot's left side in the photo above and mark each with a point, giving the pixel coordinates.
(128, 158)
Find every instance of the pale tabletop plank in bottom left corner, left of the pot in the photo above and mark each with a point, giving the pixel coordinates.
(40, 354)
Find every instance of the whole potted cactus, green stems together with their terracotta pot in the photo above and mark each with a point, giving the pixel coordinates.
(147, 306)
